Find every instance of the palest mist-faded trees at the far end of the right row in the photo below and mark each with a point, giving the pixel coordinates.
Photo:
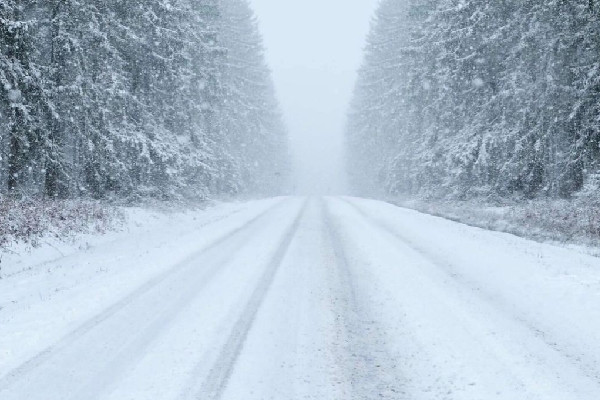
(376, 104)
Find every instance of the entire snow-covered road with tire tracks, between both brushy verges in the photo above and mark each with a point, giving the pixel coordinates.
(318, 298)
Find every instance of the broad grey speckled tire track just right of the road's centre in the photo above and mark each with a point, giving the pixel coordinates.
(373, 372)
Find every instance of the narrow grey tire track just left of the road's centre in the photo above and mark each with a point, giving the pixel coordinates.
(218, 377)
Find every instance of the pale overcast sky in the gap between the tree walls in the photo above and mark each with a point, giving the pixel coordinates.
(314, 48)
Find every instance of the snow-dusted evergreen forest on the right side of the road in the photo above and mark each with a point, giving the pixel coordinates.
(471, 99)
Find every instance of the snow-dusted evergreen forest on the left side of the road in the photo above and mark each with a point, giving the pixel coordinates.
(107, 99)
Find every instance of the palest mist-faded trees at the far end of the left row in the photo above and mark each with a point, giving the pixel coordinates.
(251, 118)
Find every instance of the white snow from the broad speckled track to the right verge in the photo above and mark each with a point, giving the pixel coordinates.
(473, 314)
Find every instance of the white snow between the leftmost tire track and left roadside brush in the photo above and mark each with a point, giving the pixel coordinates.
(48, 291)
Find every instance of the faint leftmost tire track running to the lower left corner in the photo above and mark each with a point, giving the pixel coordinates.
(15, 374)
